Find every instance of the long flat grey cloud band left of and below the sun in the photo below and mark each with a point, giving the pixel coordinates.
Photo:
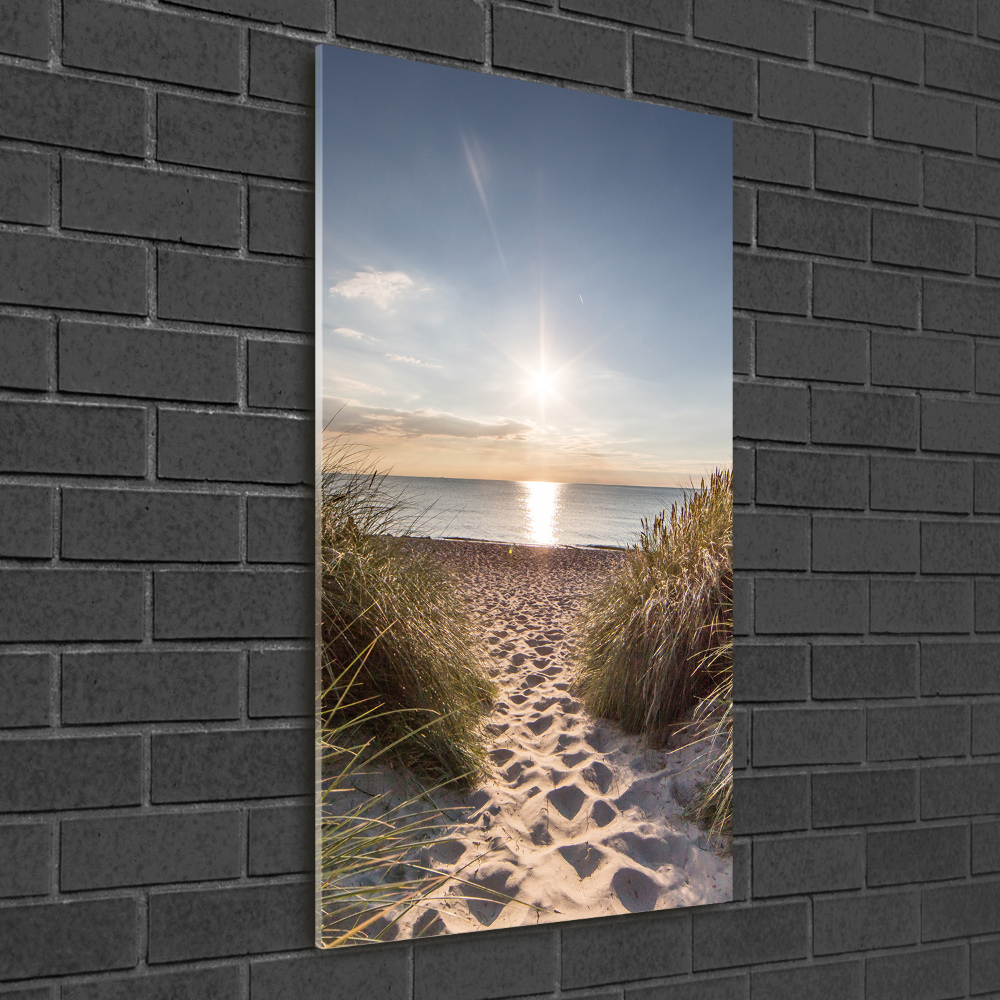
(358, 419)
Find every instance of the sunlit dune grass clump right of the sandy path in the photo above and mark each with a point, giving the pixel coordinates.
(655, 648)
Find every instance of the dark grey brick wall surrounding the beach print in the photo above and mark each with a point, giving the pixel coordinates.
(156, 161)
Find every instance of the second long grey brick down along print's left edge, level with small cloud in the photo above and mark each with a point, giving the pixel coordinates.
(234, 292)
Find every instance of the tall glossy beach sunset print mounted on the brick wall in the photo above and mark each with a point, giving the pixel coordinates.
(524, 502)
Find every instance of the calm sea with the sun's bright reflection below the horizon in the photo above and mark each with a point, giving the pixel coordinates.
(534, 513)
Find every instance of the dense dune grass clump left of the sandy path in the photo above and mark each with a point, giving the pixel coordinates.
(394, 610)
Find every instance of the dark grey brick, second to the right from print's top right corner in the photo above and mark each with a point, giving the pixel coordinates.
(867, 171)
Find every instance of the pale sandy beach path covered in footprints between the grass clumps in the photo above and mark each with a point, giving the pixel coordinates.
(578, 819)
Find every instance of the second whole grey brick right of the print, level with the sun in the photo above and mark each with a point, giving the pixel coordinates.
(908, 359)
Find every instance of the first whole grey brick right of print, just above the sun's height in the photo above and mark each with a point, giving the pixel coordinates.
(811, 351)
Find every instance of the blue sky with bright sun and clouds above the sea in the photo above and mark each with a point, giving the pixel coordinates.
(522, 281)
